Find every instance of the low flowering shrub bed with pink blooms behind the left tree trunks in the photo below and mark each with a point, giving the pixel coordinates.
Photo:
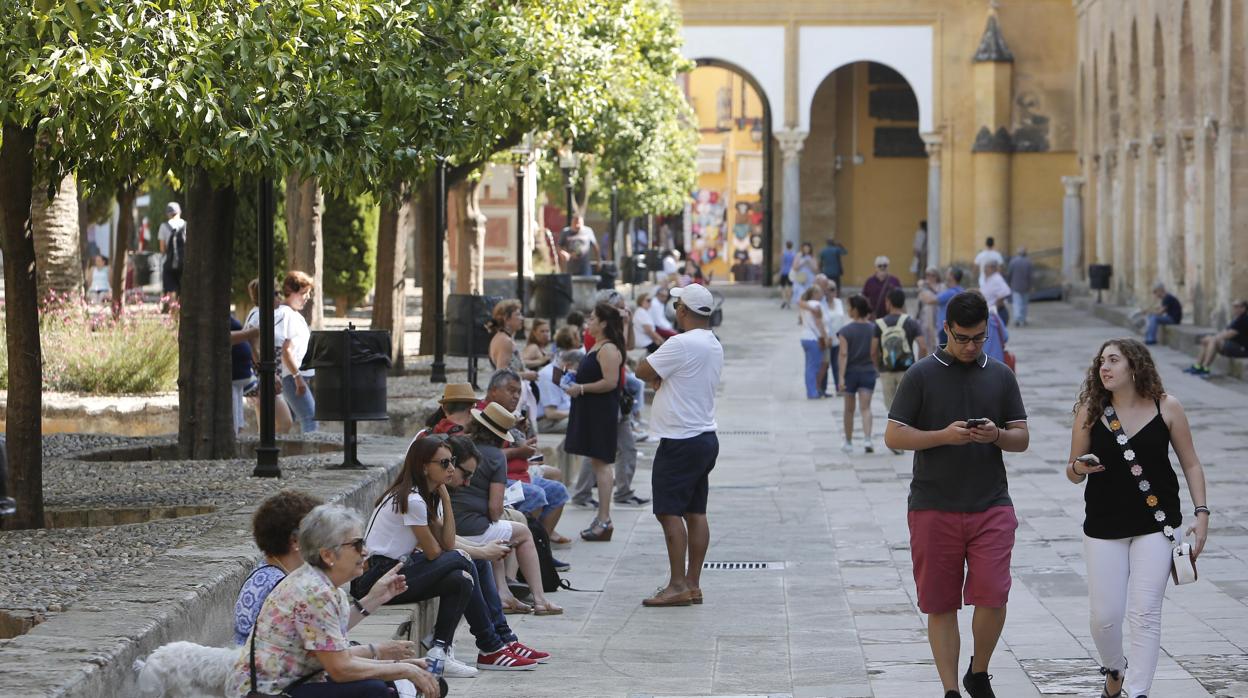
(88, 351)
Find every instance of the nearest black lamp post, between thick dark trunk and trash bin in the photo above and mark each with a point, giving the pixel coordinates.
(268, 451)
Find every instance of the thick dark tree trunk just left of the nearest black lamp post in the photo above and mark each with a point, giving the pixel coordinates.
(205, 421)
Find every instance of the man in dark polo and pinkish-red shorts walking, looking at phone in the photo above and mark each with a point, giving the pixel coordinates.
(958, 410)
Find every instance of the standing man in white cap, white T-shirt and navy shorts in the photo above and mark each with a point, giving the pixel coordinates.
(686, 371)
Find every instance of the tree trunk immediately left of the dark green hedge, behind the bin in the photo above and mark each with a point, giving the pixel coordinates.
(305, 249)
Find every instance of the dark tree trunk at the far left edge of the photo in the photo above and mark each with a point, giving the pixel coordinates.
(26, 406)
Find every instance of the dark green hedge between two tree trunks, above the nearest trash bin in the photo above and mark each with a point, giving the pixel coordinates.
(350, 232)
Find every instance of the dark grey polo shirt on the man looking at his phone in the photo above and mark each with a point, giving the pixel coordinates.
(938, 391)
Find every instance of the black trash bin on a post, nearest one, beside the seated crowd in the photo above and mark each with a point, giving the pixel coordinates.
(351, 370)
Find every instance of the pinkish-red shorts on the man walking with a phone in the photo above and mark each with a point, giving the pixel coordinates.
(945, 545)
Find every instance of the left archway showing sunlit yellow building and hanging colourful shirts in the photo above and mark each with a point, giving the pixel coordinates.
(728, 227)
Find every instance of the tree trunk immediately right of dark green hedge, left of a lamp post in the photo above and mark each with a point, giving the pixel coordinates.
(390, 295)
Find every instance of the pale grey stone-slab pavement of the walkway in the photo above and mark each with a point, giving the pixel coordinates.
(841, 620)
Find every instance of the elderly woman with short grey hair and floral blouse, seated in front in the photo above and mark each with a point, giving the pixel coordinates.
(299, 645)
